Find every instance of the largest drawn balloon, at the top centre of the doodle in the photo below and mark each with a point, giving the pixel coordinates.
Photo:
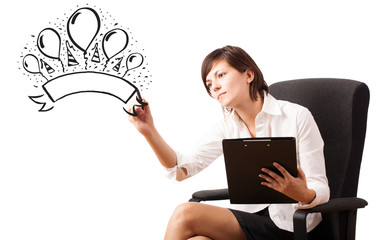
(82, 27)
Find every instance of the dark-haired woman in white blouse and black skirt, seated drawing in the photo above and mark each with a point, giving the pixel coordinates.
(231, 77)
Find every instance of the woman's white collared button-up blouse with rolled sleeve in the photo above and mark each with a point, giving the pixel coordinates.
(277, 119)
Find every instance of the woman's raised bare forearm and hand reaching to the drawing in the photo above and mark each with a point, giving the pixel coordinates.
(144, 124)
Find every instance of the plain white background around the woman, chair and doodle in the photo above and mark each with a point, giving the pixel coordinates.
(81, 171)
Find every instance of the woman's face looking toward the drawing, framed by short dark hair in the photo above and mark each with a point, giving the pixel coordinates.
(227, 85)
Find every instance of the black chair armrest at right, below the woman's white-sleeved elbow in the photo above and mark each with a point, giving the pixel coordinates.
(334, 205)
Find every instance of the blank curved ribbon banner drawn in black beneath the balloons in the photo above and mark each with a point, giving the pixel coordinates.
(82, 82)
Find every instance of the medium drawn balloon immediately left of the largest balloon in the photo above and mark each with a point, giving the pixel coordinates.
(48, 43)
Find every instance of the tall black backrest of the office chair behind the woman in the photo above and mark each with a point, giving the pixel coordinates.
(339, 107)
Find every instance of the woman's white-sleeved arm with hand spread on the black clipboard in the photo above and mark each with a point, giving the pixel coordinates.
(309, 188)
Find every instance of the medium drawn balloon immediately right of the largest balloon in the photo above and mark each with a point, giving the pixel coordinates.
(114, 42)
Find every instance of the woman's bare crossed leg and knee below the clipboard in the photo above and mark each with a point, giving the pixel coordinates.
(195, 219)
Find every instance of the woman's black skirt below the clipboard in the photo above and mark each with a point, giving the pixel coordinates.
(259, 226)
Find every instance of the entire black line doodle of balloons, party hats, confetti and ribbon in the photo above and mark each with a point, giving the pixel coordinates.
(86, 52)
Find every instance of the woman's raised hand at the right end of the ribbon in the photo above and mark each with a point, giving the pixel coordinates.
(143, 121)
